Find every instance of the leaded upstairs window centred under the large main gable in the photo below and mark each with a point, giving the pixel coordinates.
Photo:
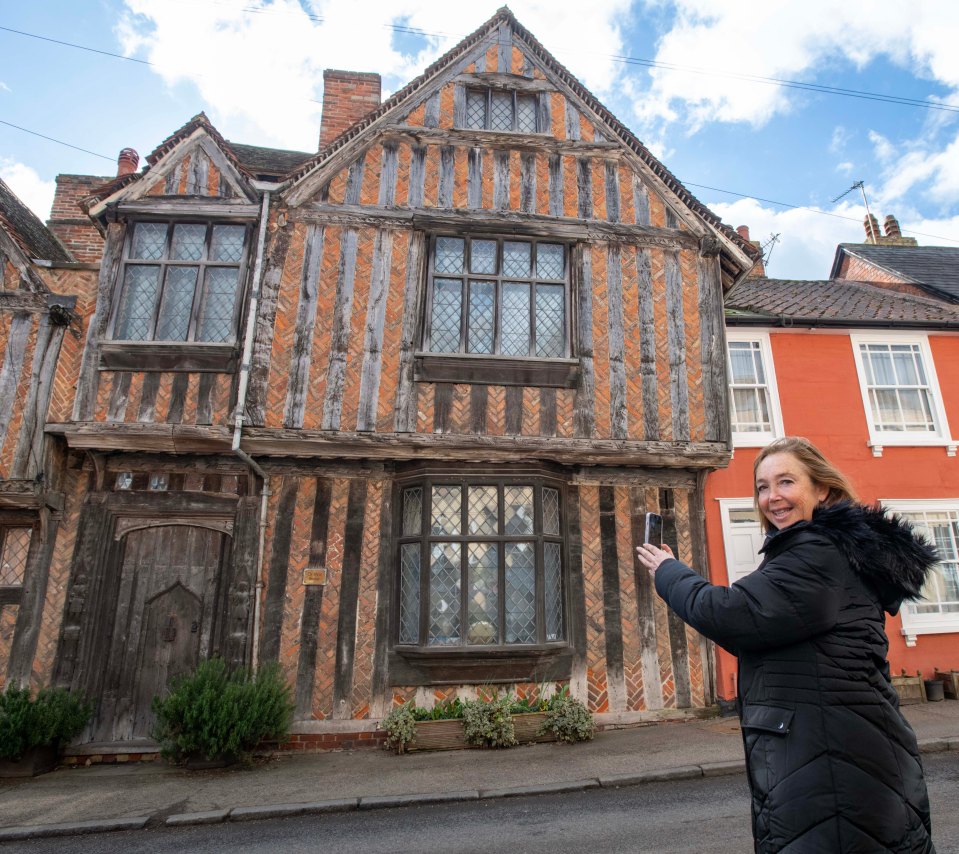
(498, 296)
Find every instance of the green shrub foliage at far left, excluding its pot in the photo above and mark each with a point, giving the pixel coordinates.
(54, 716)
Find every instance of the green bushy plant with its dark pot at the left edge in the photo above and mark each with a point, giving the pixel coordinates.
(33, 729)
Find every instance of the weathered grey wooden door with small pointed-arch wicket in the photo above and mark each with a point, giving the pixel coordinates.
(165, 622)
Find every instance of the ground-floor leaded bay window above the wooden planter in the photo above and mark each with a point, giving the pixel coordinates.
(480, 564)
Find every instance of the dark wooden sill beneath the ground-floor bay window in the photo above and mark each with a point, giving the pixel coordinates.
(410, 665)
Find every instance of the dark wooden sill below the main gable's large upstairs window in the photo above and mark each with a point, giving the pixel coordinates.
(495, 370)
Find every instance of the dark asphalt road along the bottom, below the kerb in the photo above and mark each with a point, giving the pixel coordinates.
(684, 816)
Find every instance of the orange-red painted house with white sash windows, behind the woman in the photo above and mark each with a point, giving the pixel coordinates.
(869, 371)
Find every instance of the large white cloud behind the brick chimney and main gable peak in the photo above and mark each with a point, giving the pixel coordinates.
(259, 66)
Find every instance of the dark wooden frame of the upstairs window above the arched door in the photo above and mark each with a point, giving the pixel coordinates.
(166, 262)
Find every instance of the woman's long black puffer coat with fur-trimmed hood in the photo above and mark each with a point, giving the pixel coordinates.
(833, 766)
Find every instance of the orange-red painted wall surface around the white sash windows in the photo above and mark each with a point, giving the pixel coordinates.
(820, 399)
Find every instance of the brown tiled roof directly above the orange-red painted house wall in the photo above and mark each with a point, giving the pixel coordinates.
(832, 301)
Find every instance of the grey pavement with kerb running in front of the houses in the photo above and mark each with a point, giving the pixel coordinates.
(120, 797)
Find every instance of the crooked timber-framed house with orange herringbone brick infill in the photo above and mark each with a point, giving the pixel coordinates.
(390, 413)
